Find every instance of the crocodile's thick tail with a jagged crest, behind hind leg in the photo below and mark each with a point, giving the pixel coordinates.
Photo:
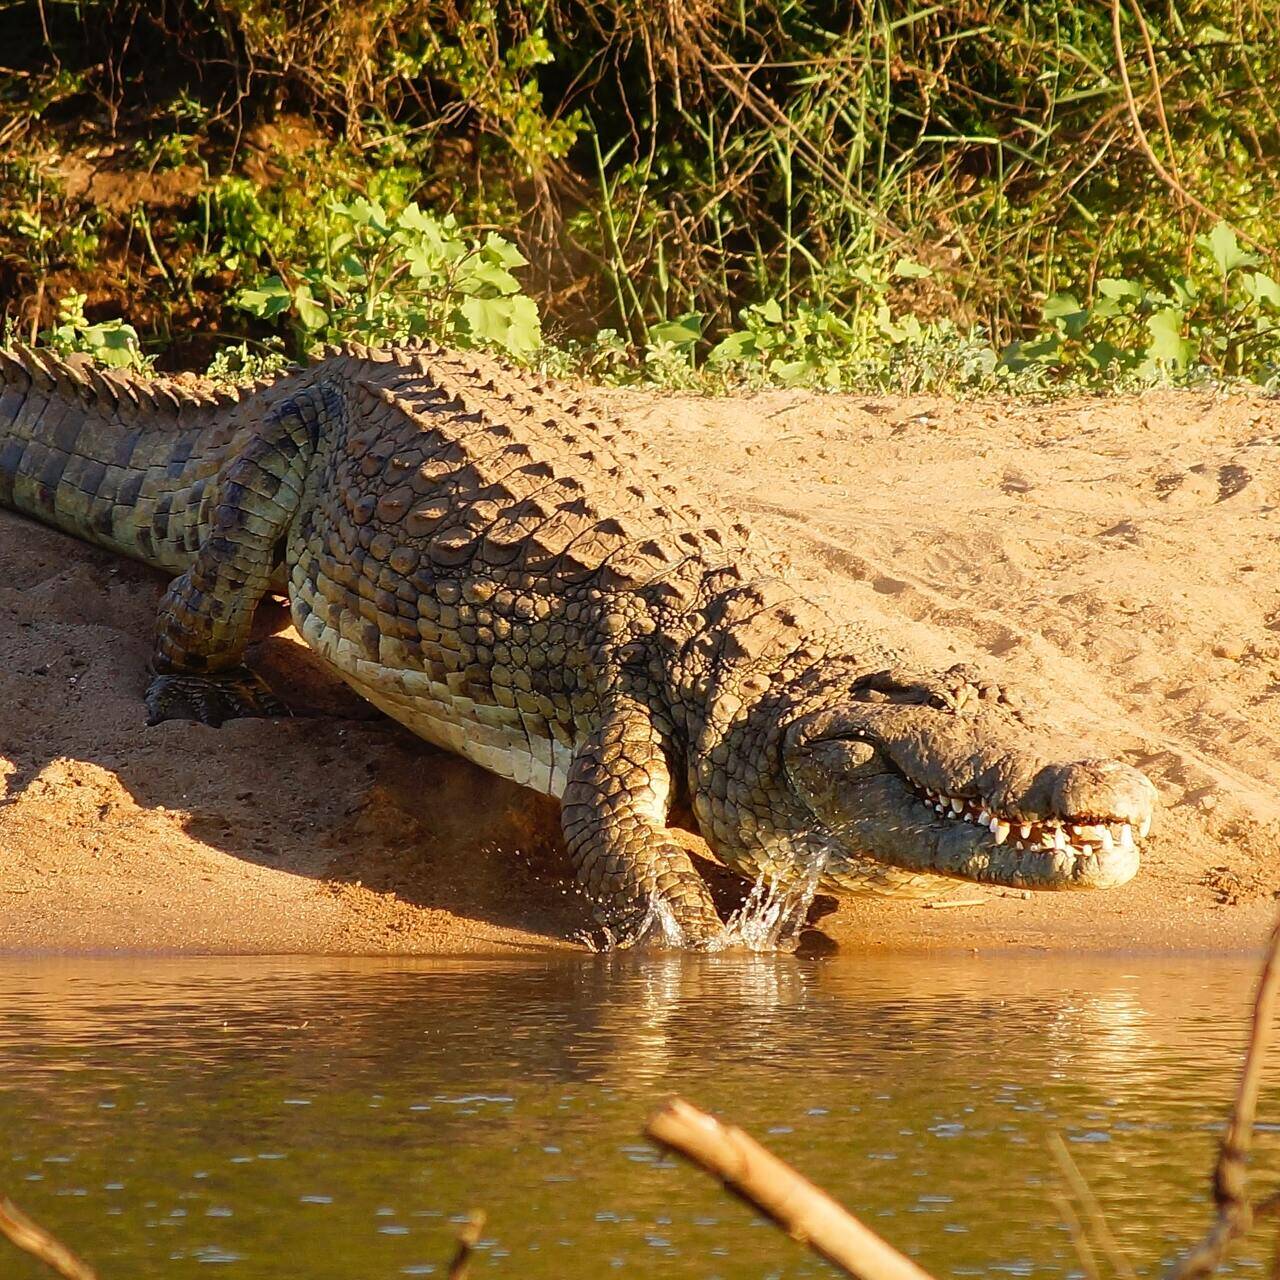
(124, 463)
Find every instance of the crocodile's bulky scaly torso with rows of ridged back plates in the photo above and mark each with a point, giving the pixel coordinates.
(477, 548)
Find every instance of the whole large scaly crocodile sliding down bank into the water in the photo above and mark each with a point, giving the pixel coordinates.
(499, 566)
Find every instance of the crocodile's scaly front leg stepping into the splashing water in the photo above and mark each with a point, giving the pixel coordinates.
(614, 813)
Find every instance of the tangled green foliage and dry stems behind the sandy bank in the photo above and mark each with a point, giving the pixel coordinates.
(875, 194)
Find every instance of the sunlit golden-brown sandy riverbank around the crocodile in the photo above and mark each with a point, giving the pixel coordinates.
(1116, 560)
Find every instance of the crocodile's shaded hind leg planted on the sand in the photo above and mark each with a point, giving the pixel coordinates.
(207, 615)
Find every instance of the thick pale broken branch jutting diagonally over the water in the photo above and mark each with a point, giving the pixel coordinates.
(806, 1213)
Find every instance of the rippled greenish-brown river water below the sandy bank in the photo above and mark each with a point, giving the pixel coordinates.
(335, 1119)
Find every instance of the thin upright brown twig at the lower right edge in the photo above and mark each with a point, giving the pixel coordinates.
(1235, 1213)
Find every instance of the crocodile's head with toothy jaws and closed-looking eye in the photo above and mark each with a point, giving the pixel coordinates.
(939, 775)
